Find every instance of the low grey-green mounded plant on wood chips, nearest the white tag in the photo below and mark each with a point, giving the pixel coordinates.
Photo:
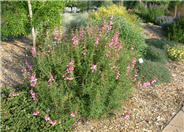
(149, 70)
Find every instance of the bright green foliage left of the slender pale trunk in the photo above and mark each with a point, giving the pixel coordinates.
(15, 19)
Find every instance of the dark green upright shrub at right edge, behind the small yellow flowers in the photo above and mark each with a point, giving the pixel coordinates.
(175, 30)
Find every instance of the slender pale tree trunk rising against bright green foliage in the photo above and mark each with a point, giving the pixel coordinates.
(33, 32)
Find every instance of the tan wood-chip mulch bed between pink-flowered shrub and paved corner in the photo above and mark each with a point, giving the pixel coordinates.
(149, 108)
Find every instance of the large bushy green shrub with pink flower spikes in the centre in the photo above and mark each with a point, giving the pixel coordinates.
(86, 75)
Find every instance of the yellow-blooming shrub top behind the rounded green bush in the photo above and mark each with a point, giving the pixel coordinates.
(114, 10)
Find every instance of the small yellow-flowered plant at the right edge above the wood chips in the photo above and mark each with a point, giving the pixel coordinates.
(175, 54)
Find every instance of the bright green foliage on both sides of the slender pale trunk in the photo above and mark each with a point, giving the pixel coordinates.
(46, 15)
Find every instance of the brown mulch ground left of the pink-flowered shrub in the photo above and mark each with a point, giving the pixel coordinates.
(13, 56)
